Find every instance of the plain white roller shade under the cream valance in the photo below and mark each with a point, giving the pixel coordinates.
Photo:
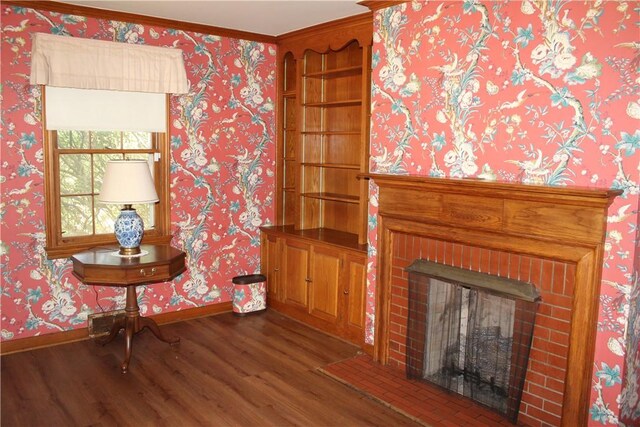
(104, 110)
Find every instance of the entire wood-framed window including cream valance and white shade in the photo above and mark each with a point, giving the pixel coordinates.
(102, 100)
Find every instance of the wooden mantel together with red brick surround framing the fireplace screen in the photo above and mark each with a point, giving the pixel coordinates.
(550, 236)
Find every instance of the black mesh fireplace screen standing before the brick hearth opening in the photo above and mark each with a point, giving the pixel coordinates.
(470, 333)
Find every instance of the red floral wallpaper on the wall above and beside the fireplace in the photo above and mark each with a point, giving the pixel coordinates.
(544, 92)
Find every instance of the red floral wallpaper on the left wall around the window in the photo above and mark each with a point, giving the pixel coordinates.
(222, 176)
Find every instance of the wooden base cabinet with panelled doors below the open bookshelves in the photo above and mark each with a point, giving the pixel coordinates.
(320, 283)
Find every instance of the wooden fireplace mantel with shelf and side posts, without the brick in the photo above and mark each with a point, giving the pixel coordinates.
(566, 224)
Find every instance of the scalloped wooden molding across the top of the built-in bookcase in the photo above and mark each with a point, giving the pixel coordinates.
(332, 35)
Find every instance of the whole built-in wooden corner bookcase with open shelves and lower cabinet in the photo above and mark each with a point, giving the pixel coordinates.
(315, 254)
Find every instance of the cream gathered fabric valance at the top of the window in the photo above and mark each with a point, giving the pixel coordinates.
(95, 64)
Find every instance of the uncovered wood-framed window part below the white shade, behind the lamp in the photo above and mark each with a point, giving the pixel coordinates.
(75, 164)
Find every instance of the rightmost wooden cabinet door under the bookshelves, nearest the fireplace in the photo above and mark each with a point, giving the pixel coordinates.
(354, 292)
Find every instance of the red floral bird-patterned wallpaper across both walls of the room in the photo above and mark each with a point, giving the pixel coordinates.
(542, 92)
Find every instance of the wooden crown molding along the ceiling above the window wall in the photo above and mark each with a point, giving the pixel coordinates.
(72, 9)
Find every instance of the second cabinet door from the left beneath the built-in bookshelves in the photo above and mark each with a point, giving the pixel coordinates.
(295, 276)
